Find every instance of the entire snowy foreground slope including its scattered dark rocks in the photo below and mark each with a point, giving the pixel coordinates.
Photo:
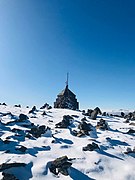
(57, 143)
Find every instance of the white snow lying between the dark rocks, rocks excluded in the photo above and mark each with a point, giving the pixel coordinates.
(109, 162)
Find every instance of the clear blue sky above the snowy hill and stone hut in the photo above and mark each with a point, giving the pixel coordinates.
(93, 40)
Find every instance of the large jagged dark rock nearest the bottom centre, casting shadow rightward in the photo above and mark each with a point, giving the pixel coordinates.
(60, 165)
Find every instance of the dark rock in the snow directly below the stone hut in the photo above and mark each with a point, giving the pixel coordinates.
(67, 120)
